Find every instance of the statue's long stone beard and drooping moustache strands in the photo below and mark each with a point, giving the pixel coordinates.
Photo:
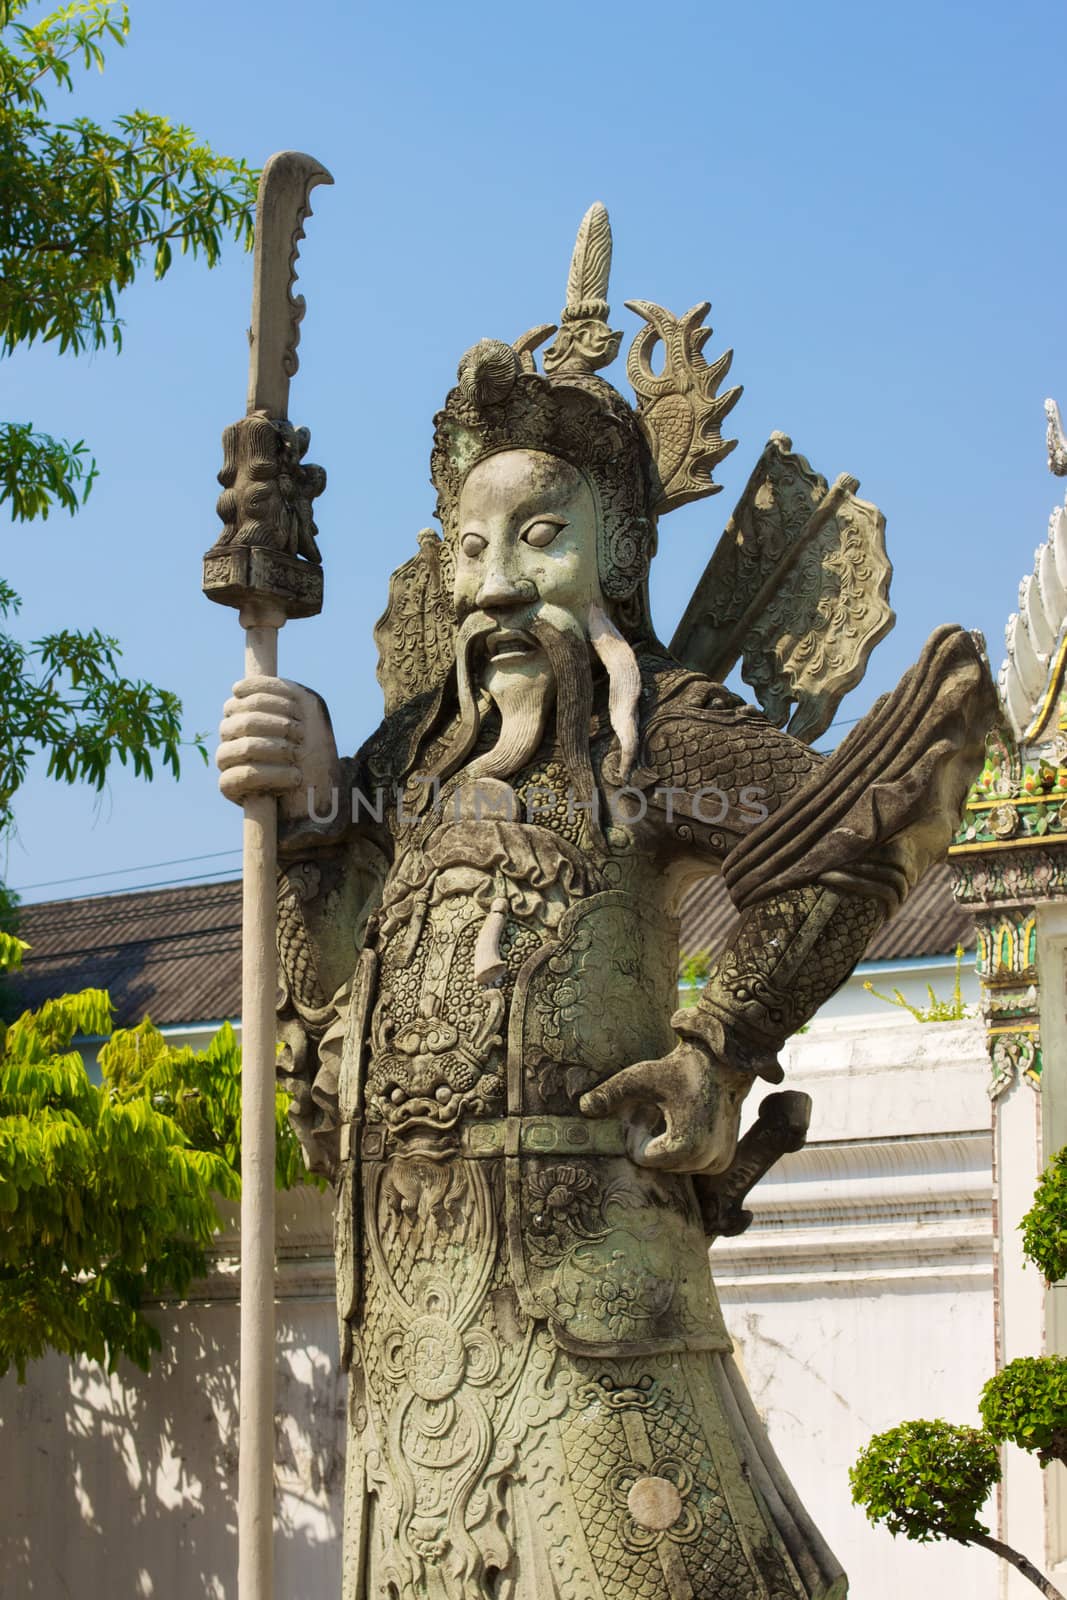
(527, 695)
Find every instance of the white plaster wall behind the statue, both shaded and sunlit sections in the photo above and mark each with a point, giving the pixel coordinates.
(860, 1298)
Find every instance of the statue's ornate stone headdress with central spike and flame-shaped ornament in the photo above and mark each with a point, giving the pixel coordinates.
(642, 462)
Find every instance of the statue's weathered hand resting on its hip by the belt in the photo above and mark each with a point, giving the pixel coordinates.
(682, 1111)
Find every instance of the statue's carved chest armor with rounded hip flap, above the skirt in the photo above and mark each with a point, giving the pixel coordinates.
(487, 1071)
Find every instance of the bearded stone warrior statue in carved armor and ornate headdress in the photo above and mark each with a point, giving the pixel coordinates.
(479, 942)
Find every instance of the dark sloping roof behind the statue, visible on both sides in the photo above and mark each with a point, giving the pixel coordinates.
(175, 954)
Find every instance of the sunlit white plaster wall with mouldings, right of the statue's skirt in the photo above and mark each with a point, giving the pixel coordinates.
(861, 1297)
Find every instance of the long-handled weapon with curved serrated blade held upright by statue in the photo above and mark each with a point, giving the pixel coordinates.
(268, 585)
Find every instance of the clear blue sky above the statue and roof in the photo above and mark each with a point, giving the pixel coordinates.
(871, 199)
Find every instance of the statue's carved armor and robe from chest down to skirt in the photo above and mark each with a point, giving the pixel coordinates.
(540, 1394)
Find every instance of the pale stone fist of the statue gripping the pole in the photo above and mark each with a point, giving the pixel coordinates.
(276, 738)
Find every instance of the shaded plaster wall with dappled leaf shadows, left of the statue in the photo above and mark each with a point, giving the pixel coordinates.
(127, 1487)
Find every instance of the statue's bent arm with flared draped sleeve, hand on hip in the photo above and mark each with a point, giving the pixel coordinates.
(813, 882)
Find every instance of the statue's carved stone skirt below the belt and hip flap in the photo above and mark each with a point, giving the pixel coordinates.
(489, 1463)
